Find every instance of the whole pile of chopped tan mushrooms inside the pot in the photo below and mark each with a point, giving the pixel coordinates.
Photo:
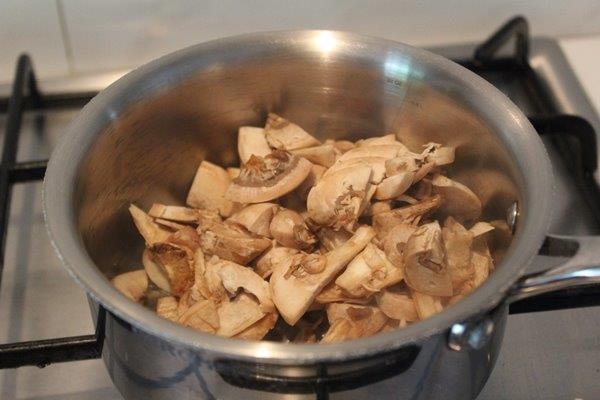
(312, 242)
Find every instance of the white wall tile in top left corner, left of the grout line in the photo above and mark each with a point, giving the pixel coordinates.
(31, 26)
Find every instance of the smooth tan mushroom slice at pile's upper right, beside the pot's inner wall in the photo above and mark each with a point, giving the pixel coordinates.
(457, 199)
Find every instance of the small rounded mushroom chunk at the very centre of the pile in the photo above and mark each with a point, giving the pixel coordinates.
(289, 229)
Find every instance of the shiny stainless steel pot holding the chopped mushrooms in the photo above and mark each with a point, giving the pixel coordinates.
(141, 139)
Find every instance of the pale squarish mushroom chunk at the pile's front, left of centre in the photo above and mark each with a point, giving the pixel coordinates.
(238, 314)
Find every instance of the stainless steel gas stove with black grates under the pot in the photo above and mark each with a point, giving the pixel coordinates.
(551, 348)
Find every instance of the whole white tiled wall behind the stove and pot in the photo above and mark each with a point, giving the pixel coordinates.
(111, 34)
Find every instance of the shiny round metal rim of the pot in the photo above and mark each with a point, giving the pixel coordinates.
(518, 136)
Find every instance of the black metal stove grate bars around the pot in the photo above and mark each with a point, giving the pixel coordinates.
(565, 129)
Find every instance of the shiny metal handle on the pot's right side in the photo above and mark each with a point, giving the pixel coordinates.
(581, 269)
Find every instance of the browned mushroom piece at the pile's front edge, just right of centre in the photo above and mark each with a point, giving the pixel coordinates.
(362, 321)
